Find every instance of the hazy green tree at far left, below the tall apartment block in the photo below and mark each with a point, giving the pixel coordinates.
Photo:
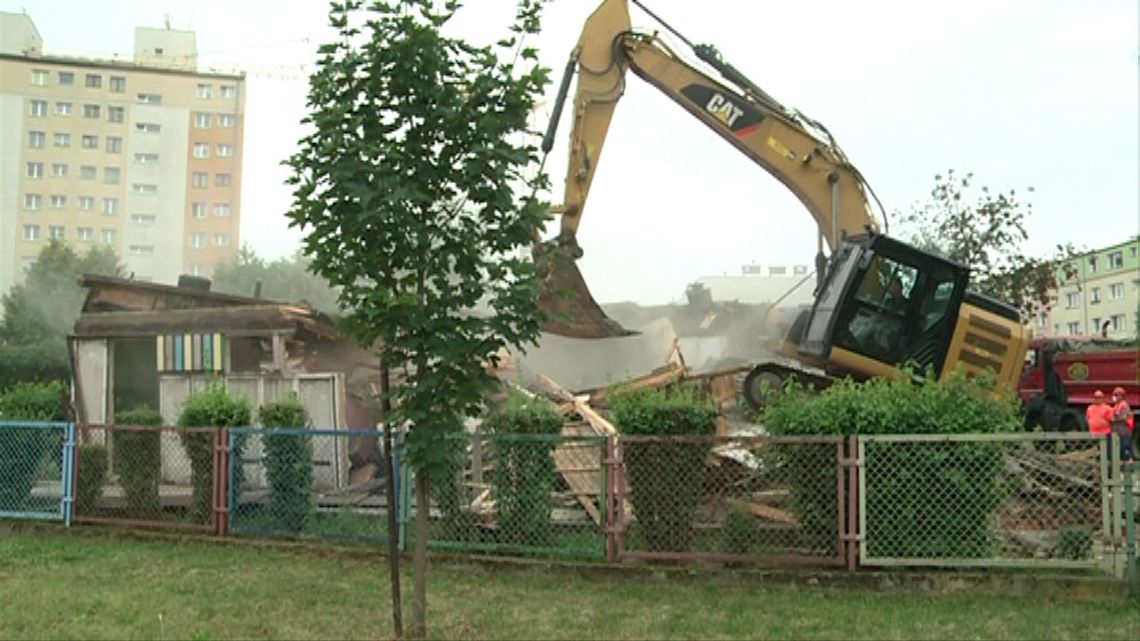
(39, 314)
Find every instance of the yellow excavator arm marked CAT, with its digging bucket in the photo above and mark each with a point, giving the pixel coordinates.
(795, 150)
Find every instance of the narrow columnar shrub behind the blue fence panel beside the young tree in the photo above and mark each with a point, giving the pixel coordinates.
(289, 464)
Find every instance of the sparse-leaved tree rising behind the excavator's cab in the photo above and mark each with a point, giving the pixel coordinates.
(987, 232)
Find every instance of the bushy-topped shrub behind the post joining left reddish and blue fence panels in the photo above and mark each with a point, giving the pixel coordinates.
(213, 408)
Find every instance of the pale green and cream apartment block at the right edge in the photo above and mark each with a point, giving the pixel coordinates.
(1098, 295)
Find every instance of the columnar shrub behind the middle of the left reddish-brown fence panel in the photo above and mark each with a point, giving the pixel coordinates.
(139, 460)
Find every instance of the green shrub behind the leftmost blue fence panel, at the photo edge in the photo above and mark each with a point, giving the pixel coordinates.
(25, 451)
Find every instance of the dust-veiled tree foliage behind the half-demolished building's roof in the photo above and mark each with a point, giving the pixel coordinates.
(288, 280)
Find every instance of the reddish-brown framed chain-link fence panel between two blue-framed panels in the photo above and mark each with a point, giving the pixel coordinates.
(151, 477)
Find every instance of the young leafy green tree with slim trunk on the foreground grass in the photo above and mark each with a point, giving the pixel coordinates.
(416, 190)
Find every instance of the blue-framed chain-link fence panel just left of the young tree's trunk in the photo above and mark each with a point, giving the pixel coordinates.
(303, 484)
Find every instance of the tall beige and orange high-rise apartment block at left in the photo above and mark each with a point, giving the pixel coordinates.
(142, 156)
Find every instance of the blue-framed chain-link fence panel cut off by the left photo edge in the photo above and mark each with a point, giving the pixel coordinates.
(36, 467)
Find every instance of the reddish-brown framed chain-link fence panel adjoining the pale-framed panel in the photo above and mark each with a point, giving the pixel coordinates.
(721, 499)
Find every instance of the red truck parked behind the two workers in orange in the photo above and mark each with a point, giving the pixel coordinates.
(1061, 376)
